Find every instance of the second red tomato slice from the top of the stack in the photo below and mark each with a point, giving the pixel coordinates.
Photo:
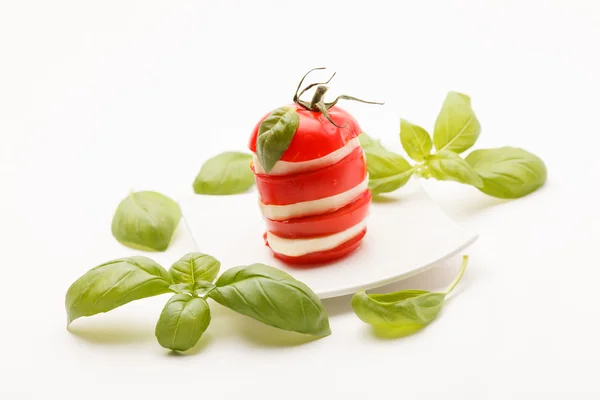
(313, 185)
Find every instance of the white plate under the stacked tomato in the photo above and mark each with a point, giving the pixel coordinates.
(405, 235)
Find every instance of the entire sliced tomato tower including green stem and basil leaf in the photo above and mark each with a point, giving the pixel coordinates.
(306, 131)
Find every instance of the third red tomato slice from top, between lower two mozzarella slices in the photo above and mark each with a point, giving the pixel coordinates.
(323, 224)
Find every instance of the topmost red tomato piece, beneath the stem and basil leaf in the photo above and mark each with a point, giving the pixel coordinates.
(316, 136)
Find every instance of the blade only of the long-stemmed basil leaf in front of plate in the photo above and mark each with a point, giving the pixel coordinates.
(414, 309)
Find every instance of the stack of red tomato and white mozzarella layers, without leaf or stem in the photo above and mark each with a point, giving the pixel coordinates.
(315, 199)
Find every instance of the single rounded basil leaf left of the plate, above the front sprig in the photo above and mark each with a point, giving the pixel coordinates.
(146, 221)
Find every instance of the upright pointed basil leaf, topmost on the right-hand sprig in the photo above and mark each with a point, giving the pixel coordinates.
(456, 127)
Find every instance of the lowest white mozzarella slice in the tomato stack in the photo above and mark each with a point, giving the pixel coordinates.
(299, 247)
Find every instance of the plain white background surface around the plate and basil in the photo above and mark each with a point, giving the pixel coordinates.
(100, 97)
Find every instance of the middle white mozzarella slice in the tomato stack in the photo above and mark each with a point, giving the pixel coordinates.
(320, 206)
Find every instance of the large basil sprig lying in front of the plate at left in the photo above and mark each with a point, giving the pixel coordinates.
(259, 291)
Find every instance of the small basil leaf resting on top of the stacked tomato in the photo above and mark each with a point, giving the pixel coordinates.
(275, 134)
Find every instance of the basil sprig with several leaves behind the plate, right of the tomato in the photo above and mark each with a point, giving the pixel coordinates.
(505, 172)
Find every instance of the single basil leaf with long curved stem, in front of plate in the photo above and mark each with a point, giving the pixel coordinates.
(406, 309)
